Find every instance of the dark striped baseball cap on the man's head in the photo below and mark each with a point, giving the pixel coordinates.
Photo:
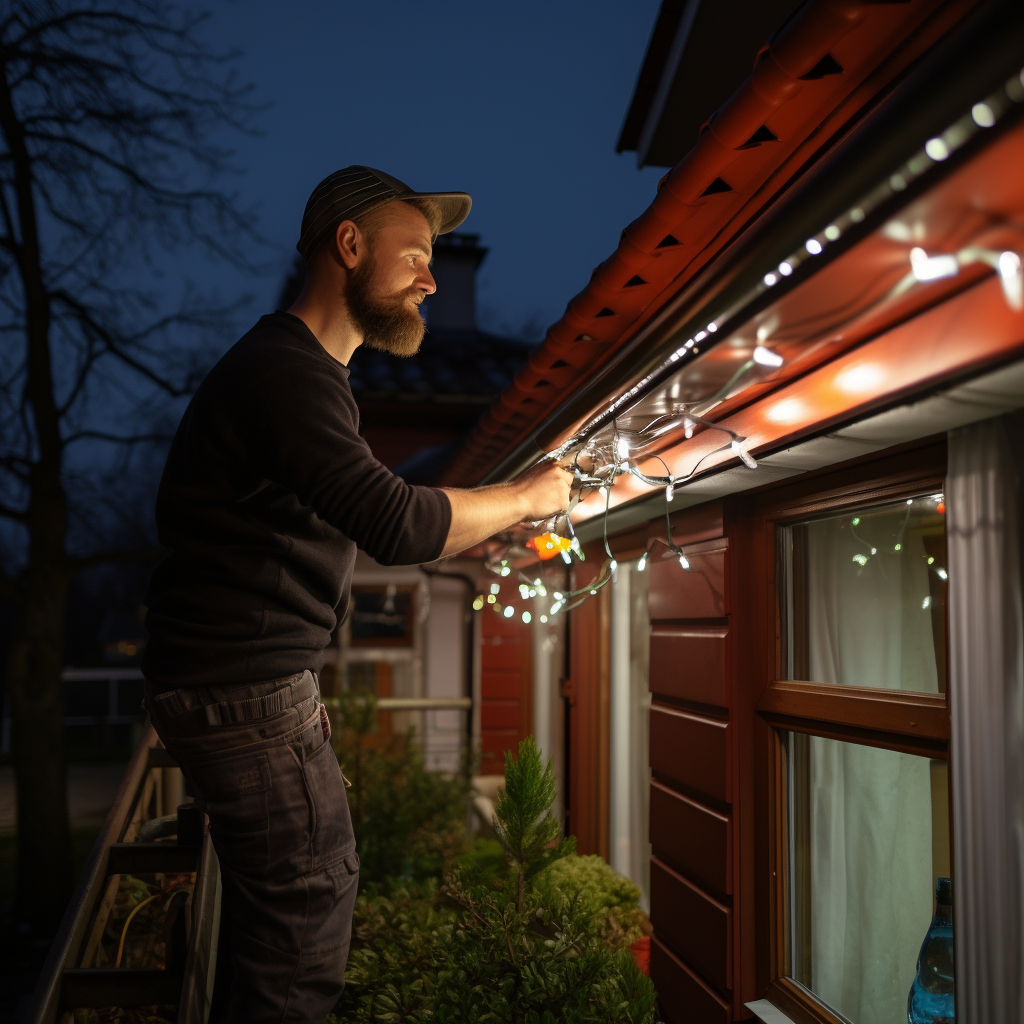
(356, 191)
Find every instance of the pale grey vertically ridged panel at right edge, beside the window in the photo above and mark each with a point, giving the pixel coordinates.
(987, 645)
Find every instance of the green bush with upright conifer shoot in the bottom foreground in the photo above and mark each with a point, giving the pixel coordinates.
(494, 944)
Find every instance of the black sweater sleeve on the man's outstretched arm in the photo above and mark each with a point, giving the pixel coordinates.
(304, 425)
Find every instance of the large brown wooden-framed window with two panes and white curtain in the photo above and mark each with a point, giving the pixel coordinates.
(858, 794)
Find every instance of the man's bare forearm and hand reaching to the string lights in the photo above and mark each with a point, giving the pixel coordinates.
(478, 515)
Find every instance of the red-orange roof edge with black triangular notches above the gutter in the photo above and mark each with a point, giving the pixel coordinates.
(817, 79)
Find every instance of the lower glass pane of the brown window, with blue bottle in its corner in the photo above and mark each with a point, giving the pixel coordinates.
(869, 843)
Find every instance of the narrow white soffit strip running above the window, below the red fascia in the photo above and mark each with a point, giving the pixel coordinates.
(985, 397)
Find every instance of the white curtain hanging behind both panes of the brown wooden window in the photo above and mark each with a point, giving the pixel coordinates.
(871, 816)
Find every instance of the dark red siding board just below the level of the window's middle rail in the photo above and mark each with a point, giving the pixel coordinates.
(692, 750)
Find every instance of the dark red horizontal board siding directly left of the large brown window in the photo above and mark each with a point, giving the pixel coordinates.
(692, 759)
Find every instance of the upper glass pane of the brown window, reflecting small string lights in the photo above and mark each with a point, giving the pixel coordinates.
(867, 598)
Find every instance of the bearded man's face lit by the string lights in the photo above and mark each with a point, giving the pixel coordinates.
(388, 287)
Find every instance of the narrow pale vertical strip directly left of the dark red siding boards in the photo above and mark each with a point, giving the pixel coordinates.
(630, 711)
